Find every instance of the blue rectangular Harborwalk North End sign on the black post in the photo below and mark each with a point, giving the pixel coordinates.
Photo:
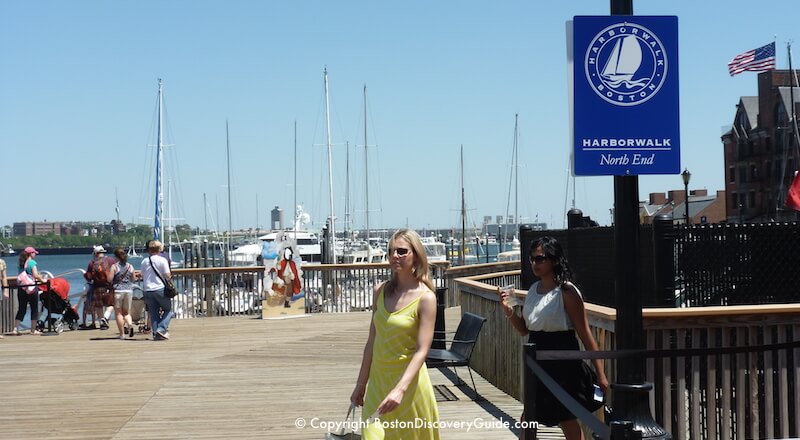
(626, 116)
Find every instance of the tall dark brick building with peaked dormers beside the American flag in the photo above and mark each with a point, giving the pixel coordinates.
(761, 151)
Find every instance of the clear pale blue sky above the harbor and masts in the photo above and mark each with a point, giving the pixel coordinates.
(78, 90)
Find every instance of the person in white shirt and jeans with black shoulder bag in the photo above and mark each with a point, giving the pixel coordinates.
(154, 269)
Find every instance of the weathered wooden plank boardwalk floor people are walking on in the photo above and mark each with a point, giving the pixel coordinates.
(216, 378)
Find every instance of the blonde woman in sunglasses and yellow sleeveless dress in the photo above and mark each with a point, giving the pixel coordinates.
(393, 382)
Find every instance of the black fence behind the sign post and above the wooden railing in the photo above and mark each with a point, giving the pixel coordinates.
(683, 266)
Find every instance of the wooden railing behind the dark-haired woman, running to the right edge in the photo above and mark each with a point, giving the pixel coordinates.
(718, 396)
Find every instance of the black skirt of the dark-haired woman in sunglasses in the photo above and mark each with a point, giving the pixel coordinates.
(567, 373)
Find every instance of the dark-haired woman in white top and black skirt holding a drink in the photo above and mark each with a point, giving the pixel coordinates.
(552, 315)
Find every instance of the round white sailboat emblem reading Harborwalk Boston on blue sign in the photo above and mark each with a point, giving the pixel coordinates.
(626, 64)
